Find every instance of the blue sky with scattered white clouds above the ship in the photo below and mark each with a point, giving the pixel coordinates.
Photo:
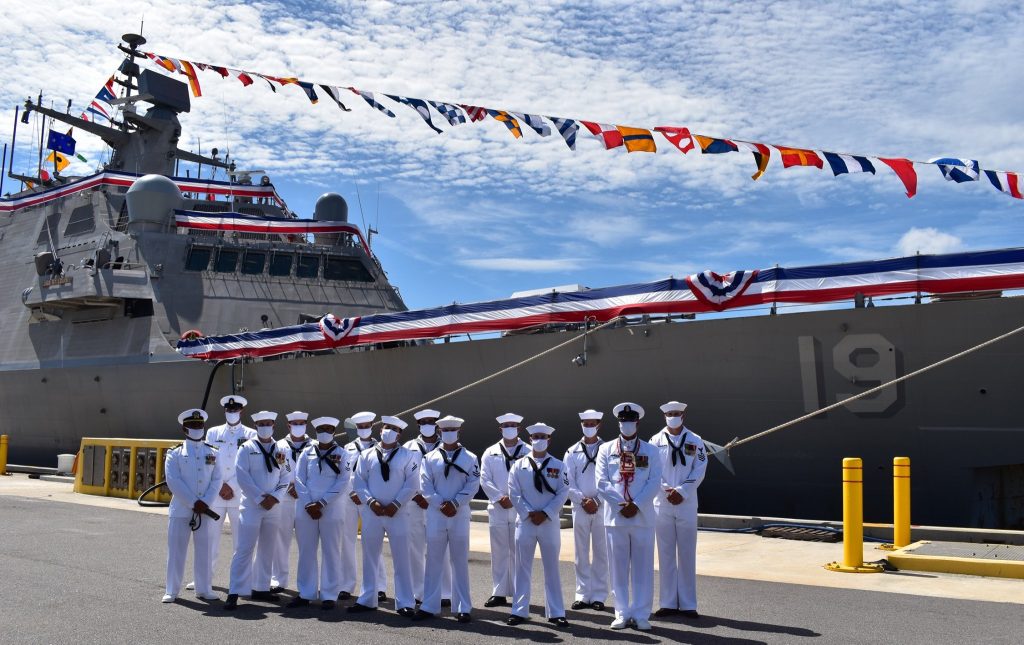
(474, 214)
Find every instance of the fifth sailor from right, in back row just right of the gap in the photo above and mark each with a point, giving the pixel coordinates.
(495, 467)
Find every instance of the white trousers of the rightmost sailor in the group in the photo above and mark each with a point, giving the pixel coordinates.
(677, 556)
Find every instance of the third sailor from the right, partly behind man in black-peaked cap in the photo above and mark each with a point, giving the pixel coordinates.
(588, 523)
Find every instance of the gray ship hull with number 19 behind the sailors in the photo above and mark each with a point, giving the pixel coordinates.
(960, 424)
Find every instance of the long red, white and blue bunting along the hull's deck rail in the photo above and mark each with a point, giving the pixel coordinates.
(699, 293)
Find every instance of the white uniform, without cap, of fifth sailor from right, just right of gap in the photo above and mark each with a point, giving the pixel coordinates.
(495, 468)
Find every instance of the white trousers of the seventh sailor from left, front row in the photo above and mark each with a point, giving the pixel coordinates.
(397, 529)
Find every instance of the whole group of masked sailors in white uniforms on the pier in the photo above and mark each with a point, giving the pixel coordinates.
(624, 494)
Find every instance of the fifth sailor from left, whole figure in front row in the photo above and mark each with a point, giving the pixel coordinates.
(322, 482)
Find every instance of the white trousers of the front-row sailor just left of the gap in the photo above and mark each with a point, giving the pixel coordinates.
(448, 537)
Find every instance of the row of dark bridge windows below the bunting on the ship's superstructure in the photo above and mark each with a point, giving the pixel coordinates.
(277, 265)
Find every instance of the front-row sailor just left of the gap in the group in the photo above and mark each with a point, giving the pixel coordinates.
(450, 478)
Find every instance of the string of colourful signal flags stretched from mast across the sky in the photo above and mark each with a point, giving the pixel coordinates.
(634, 140)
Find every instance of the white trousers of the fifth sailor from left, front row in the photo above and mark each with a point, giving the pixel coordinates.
(324, 535)
